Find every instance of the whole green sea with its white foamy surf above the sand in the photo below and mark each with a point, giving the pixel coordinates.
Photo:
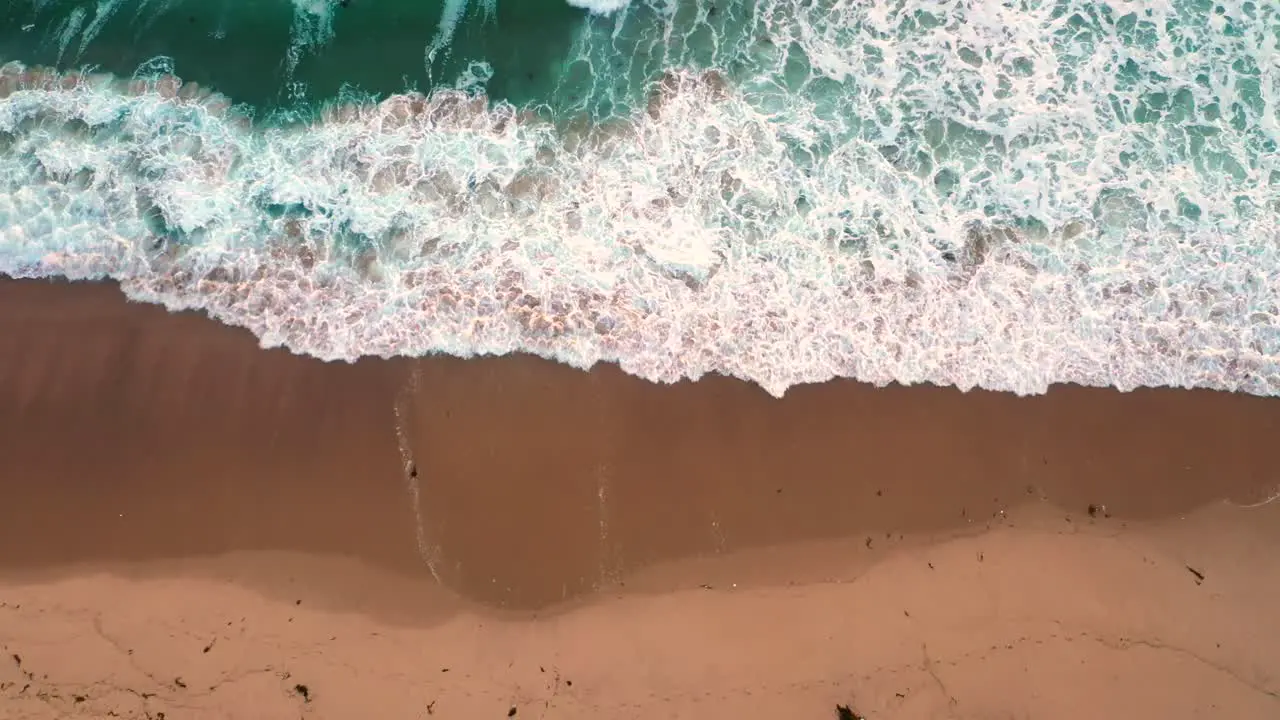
(1000, 194)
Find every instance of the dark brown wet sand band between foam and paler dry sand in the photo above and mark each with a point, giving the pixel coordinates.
(538, 482)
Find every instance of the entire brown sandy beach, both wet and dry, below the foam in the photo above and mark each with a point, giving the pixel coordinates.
(193, 527)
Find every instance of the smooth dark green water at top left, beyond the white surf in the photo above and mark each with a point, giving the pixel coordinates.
(276, 54)
